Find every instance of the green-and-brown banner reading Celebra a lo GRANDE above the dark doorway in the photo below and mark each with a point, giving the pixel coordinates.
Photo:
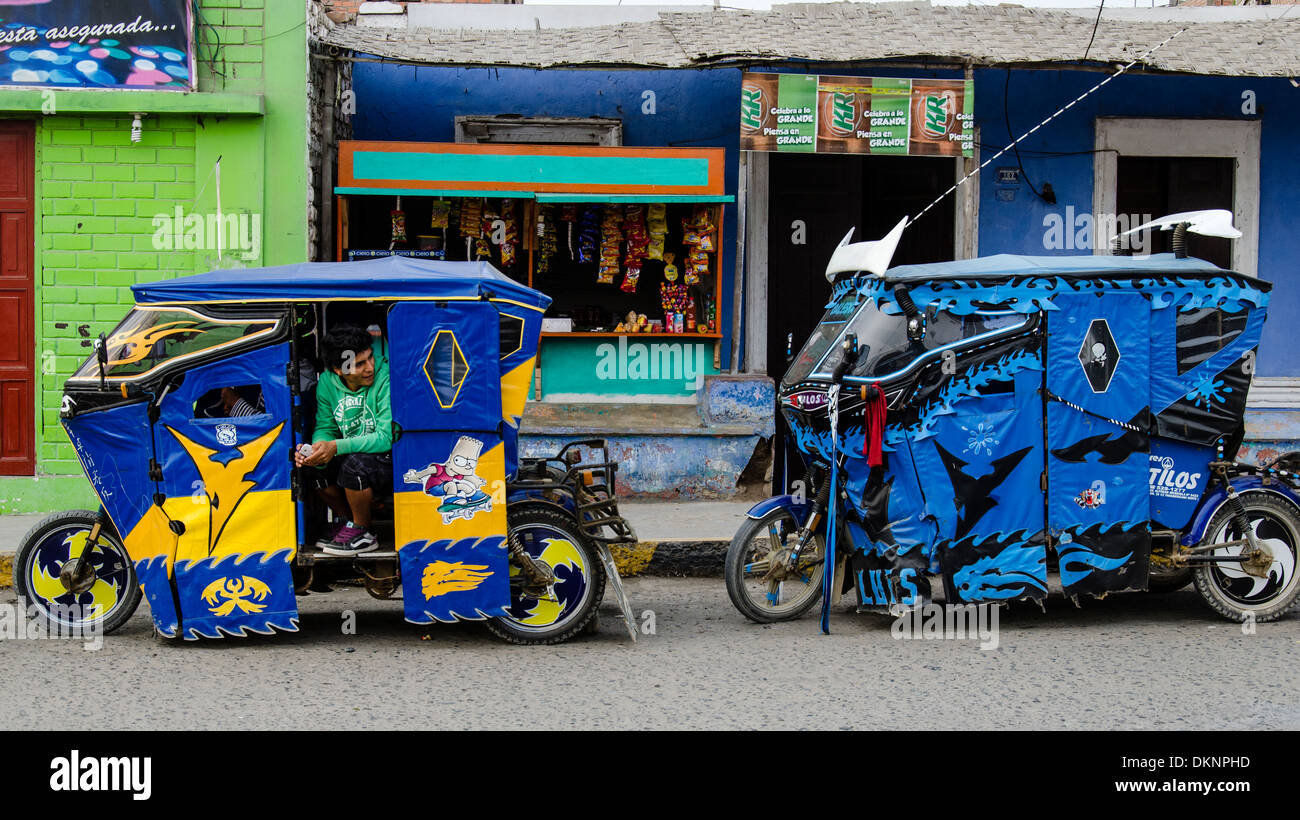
(857, 115)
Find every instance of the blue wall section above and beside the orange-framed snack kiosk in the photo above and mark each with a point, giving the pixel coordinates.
(694, 110)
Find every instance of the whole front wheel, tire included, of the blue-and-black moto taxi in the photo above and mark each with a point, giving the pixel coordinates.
(747, 565)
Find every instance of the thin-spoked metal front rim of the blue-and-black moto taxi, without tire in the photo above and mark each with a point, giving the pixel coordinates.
(782, 592)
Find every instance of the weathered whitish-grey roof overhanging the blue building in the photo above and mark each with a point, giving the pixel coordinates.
(842, 33)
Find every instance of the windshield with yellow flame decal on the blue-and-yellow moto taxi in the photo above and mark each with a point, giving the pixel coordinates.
(151, 337)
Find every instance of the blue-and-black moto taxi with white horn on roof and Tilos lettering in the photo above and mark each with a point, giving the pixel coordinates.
(991, 418)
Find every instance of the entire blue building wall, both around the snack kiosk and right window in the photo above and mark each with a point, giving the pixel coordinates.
(703, 109)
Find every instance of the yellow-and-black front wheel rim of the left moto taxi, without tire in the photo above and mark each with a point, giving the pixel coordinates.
(88, 605)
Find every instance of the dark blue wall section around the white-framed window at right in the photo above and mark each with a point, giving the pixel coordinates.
(1017, 227)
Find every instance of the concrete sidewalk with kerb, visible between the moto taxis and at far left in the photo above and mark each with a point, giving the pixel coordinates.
(675, 539)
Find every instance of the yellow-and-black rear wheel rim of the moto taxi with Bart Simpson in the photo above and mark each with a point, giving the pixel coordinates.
(564, 600)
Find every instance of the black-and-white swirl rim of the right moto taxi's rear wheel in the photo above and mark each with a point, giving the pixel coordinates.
(1251, 592)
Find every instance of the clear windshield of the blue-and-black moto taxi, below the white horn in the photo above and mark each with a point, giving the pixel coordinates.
(883, 345)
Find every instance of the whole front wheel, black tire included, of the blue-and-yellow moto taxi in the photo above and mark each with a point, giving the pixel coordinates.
(115, 593)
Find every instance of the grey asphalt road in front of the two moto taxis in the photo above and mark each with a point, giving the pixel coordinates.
(1130, 662)
